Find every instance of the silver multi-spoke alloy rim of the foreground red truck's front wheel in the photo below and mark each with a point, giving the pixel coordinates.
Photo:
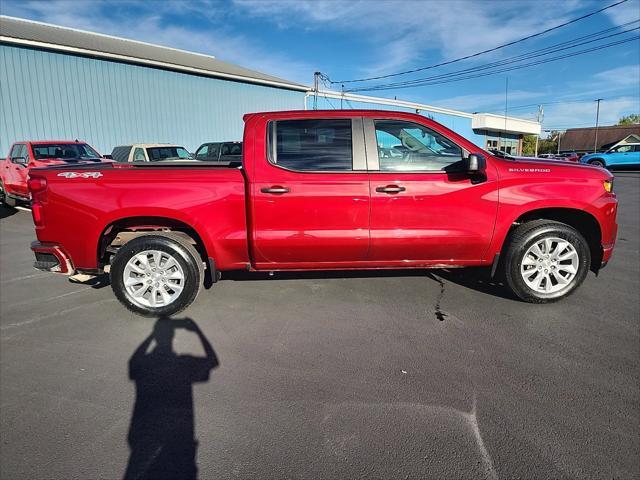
(550, 265)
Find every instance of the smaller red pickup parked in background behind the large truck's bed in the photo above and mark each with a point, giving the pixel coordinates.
(24, 156)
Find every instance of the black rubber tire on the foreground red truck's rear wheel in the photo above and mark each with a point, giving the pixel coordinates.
(181, 250)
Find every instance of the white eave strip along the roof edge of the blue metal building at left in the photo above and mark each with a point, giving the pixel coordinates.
(145, 61)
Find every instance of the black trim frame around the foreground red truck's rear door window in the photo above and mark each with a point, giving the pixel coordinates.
(358, 155)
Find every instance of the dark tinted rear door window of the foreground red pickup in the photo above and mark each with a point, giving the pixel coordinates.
(311, 145)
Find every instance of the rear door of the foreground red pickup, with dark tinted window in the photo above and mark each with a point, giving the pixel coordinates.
(310, 194)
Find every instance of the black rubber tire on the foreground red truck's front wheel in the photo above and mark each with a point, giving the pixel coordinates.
(522, 238)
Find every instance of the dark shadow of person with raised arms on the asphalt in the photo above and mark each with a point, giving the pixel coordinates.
(162, 432)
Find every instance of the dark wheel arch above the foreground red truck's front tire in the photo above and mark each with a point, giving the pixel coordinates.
(582, 221)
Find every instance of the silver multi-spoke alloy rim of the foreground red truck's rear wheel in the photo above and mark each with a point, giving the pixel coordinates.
(153, 278)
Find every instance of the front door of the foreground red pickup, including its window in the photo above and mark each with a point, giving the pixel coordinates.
(424, 209)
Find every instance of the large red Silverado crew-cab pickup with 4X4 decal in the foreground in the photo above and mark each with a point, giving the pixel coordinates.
(355, 189)
